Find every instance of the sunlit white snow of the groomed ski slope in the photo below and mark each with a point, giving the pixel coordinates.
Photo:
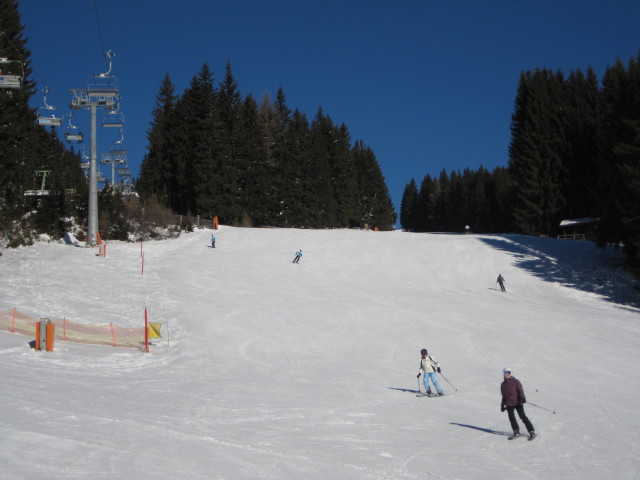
(279, 371)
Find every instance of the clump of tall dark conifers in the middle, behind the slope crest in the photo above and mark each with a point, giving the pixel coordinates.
(214, 153)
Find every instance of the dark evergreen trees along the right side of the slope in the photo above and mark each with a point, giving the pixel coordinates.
(574, 154)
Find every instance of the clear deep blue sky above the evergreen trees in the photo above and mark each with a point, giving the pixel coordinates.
(427, 85)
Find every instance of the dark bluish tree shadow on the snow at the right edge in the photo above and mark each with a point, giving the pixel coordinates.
(576, 264)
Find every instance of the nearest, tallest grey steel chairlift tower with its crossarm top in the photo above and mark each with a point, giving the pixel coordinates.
(101, 92)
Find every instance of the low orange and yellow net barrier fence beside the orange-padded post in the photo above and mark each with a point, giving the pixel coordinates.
(68, 331)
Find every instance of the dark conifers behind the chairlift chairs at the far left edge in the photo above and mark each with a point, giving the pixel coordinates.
(26, 149)
